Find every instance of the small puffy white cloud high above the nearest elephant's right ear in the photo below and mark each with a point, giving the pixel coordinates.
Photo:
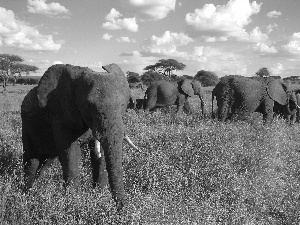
(114, 23)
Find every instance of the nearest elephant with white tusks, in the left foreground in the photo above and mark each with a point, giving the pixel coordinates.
(67, 102)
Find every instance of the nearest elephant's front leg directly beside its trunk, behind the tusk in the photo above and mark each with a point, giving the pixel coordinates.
(99, 171)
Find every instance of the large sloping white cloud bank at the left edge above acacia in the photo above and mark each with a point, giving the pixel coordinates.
(17, 34)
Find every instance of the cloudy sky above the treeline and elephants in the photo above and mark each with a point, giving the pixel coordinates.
(223, 36)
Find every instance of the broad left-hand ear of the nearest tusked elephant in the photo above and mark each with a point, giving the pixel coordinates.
(48, 83)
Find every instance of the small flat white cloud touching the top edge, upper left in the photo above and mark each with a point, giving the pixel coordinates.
(41, 7)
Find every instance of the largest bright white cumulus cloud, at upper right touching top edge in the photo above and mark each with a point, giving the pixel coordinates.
(223, 20)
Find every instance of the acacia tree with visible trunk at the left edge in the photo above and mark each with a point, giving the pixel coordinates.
(12, 66)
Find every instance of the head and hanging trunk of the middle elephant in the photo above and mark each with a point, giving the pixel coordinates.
(192, 88)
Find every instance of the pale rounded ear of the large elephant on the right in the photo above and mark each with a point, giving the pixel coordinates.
(278, 91)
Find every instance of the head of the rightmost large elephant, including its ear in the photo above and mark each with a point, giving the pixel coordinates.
(283, 95)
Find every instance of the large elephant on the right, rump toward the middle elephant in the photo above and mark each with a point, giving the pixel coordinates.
(238, 97)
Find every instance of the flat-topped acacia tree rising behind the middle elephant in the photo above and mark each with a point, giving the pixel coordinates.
(166, 66)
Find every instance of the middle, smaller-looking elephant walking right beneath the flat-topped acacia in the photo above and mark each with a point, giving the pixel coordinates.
(164, 93)
